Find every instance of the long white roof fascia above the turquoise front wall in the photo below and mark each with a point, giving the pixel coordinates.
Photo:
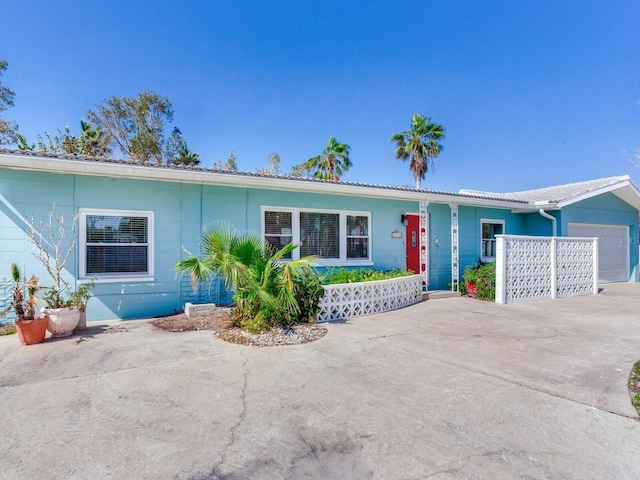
(141, 172)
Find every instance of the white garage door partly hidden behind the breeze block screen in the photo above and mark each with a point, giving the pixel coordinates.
(613, 249)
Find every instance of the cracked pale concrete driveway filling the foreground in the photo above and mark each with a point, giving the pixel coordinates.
(451, 388)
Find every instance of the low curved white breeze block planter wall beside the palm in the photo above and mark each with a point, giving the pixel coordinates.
(349, 300)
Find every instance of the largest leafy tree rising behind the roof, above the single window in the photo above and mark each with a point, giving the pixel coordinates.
(136, 126)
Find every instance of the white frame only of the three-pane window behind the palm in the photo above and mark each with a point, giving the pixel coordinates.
(342, 260)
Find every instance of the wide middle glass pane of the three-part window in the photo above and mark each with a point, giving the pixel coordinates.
(320, 234)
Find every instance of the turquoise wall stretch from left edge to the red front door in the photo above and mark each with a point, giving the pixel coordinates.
(180, 213)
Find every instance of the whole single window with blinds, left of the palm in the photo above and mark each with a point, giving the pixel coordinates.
(116, 244)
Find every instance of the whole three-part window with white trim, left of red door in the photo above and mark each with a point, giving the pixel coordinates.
(334, 237)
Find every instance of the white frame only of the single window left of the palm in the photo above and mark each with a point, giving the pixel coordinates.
(115, 277)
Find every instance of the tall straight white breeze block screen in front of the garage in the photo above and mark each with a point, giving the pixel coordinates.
(536, 268)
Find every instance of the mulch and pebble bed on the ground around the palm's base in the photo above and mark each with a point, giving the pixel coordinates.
(221, 323)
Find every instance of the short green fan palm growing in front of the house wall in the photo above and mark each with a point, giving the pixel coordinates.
(265, 287)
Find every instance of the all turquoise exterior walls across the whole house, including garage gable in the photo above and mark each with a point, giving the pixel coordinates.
(182, 210)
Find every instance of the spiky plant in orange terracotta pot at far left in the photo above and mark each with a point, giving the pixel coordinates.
(31, 328)
